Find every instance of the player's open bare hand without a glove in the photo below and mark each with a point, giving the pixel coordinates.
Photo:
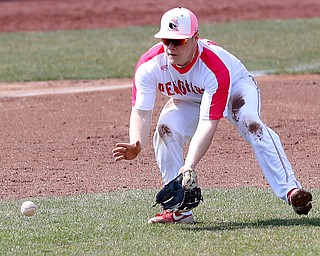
(126, 151)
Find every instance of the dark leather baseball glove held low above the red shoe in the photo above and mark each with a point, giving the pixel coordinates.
(180, 194)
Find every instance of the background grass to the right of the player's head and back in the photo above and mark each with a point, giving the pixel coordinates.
(277, 46)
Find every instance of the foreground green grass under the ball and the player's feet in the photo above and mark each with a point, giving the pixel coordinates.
(246, 221)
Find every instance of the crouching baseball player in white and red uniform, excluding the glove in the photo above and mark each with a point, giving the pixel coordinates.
(204, 83)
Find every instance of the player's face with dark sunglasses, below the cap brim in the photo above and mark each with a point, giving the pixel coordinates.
(180, 51)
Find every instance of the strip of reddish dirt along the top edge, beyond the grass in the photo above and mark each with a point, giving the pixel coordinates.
(16, 15)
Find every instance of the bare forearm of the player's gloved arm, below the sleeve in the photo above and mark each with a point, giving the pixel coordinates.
(200, 142)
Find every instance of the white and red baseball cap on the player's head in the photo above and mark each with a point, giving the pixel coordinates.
(178, 23)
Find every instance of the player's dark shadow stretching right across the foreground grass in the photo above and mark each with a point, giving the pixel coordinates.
(201, 226)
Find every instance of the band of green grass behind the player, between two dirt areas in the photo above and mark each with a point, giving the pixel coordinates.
(289, 46)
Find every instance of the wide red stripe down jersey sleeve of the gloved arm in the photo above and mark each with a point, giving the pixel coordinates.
(220, 98)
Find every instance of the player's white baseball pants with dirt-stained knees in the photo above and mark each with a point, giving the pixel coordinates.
(178, 121)
